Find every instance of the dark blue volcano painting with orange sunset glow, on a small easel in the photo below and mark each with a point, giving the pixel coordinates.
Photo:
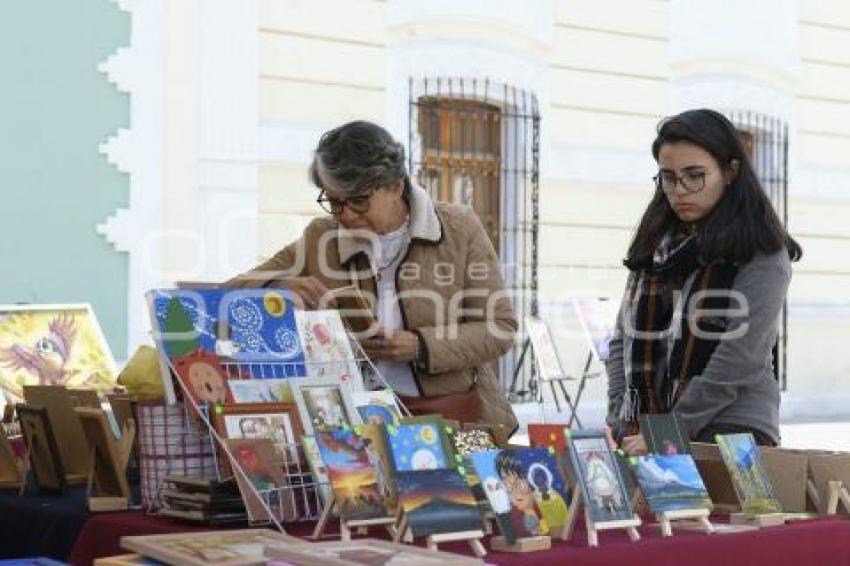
(437, 501)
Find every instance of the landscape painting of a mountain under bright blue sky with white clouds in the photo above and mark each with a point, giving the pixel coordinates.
(670, 482)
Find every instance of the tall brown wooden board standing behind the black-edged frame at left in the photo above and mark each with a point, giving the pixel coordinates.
(66, 429)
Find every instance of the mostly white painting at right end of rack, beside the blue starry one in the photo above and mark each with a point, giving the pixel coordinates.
(326, 347)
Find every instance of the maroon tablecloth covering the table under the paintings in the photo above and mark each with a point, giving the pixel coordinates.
(820, 541)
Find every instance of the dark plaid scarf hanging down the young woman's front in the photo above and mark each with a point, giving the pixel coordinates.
(651, 306)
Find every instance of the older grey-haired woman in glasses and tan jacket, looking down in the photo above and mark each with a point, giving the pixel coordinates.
(430, 267)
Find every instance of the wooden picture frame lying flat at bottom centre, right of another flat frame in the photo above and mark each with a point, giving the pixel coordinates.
(353, 553)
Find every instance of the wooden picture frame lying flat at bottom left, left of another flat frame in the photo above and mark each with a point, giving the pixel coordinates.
(224, 548)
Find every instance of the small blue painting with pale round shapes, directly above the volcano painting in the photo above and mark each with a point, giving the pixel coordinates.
(417, 446)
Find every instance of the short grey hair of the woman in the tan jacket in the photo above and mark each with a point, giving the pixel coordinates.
(356, 157)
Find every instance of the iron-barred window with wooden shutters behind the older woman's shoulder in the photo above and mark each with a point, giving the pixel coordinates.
(476, 142)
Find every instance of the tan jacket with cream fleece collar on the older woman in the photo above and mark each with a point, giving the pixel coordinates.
(450, 289)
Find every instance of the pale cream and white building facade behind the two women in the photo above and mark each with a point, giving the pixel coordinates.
(228, 98)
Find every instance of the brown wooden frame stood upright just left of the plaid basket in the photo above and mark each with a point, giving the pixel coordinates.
(108, 467)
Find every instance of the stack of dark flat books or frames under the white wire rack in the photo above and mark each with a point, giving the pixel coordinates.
(202, 500)
